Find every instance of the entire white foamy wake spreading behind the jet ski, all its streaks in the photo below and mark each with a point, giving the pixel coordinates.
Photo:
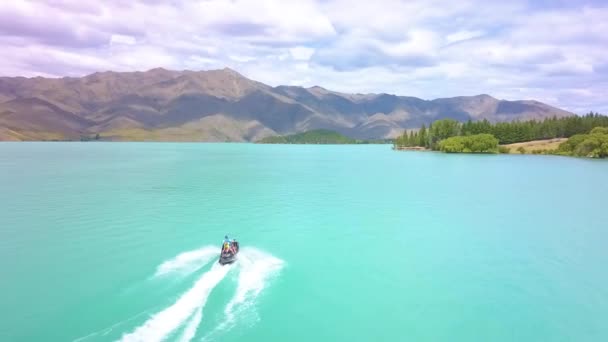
(255, 267)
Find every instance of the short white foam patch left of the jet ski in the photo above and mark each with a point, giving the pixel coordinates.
(188, 262)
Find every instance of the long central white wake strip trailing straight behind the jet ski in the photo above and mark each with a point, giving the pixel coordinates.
(165, 322)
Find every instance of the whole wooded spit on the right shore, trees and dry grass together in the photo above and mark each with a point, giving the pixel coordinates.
(583, 136)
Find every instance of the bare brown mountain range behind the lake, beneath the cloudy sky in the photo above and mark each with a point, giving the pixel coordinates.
(222, 105)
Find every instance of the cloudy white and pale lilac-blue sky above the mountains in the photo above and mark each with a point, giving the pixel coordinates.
(552, 51)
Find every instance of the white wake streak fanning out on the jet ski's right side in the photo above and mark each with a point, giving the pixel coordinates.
(255, 270)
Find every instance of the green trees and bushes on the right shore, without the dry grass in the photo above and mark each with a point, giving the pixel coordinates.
(476, 136)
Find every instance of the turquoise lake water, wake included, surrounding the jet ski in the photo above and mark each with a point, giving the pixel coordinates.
(119, 241)
